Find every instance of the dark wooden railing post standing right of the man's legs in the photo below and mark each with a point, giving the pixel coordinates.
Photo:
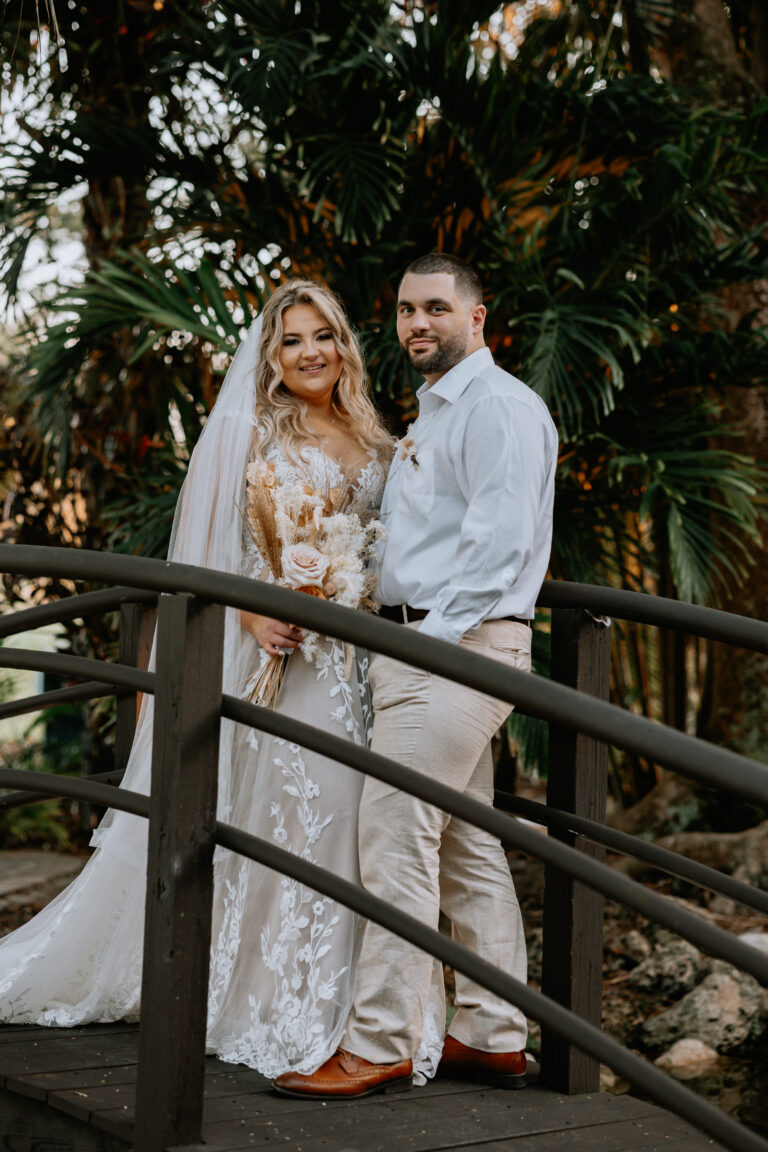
(573, 914)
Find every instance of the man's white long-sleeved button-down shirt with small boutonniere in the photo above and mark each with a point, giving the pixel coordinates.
(468, 505)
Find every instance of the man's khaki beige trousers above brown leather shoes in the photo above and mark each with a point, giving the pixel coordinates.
(422, 860)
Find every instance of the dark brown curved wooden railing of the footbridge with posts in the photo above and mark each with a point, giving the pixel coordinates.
(184, 830)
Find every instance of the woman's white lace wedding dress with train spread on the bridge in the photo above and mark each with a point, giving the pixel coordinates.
(283, 957)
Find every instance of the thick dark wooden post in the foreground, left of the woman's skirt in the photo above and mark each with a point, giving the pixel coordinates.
(180, 874)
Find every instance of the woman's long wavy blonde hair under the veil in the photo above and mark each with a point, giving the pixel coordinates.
(280, 415)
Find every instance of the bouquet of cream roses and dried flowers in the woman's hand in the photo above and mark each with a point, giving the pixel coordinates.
(313, 542)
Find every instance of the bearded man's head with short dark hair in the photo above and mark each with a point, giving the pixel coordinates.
(437, 327)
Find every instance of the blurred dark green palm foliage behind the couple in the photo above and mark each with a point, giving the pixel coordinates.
(603, 163)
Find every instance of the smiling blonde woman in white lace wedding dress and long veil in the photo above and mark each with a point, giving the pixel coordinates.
(283, 957)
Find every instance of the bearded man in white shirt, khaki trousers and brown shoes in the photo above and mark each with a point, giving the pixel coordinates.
(468, 511)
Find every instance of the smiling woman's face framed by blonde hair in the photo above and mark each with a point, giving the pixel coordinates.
(309, 358)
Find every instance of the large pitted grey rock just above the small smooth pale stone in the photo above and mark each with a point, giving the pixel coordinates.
(726, 1011)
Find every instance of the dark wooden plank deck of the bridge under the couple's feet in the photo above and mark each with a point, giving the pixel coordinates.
(73, 1092)
